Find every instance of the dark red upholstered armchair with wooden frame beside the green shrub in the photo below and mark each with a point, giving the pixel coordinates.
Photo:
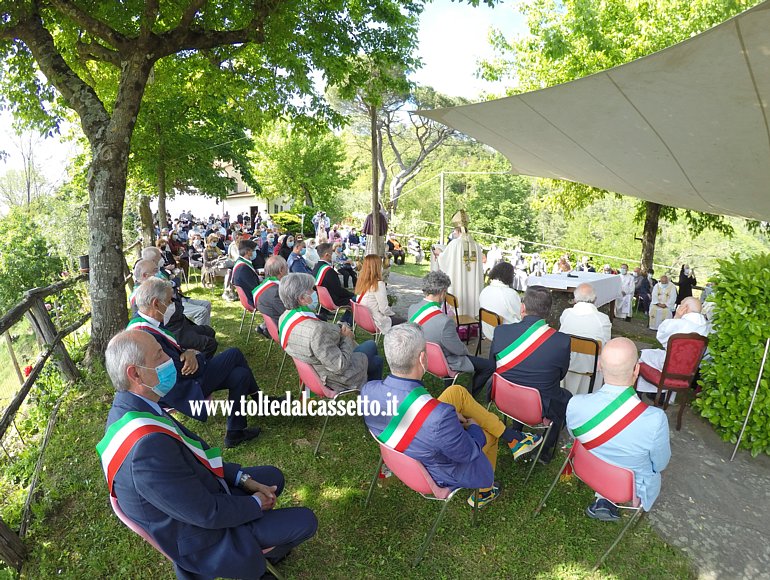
(684, 353)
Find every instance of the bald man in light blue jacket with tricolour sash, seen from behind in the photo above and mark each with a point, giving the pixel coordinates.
(616, 426)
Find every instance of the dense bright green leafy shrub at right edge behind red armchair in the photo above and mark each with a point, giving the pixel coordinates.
(741, 326)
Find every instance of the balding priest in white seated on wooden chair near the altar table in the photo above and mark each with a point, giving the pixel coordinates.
(585, 320)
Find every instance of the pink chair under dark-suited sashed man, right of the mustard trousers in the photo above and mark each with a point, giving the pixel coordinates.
(522, 404)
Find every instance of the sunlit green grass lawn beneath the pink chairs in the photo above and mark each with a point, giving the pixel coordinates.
(75, 535)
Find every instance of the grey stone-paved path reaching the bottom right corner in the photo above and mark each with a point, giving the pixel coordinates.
(716, 511)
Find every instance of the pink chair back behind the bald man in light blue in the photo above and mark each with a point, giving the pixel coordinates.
(612, 482)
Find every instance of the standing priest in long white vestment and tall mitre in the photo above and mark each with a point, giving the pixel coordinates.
(462, 262)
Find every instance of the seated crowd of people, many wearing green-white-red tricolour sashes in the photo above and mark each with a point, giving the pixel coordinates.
(173, 485)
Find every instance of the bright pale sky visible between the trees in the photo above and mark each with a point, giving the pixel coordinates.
(453, 37)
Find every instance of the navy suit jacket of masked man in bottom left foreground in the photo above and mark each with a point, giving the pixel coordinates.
(184, 507)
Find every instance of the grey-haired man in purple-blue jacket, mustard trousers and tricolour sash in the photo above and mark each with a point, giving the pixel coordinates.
(457, 442)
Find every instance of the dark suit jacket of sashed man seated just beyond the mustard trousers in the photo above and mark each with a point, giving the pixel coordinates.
(543, 369)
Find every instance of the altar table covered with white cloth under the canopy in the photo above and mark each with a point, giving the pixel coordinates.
(606, 286)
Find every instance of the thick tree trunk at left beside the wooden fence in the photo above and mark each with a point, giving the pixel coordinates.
(107, 190)
